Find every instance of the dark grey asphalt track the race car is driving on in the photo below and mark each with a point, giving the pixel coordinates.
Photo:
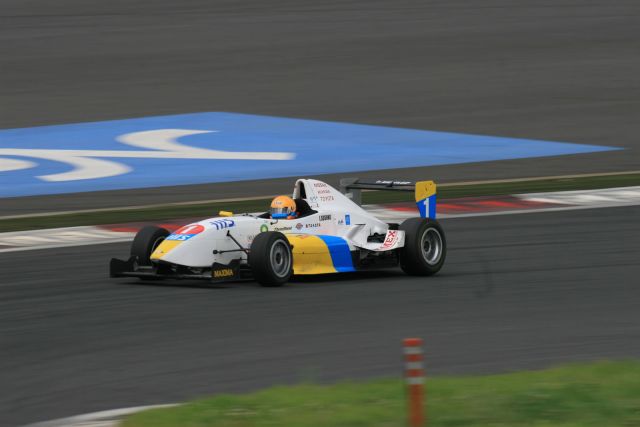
(517, 291)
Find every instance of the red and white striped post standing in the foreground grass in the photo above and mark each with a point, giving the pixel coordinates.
(414, 375)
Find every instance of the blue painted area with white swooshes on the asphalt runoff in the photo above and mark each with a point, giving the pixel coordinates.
(221, 147)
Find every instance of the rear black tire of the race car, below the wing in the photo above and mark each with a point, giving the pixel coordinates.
(425, 247)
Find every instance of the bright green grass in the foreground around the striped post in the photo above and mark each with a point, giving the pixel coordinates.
(596, 394)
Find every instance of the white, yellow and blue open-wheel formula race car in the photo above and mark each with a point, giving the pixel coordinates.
(328, 233)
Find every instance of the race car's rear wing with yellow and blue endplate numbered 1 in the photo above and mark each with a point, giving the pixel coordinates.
(425, 191)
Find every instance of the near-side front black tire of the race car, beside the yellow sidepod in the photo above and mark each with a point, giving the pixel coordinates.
(270, 259)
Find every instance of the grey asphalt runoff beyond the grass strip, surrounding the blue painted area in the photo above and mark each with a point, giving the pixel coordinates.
(562, 70)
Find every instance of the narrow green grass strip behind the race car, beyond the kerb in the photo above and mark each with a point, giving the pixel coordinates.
(199, 209)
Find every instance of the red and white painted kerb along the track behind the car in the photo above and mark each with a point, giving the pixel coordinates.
(450, 208)
